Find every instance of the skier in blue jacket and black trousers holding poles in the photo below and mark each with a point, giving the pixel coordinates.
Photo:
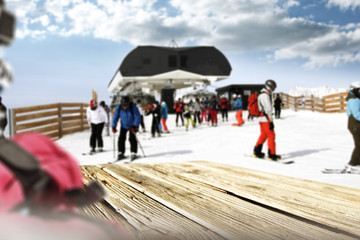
(129, 117)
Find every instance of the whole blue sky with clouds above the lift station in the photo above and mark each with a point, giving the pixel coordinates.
(65, 48)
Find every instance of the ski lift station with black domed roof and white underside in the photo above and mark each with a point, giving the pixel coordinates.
(163, 70)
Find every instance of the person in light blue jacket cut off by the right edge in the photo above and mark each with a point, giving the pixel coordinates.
(353, 112)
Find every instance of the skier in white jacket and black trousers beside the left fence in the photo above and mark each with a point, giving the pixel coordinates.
(96, 117)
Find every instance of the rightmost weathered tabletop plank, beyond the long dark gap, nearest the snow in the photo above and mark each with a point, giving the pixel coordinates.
(331, 205)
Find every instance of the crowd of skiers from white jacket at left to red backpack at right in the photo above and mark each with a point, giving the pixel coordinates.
(205, 111)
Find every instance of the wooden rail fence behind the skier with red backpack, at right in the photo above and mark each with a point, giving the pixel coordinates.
(328, 104)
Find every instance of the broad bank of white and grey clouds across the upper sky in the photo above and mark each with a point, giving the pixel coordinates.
(230, 25)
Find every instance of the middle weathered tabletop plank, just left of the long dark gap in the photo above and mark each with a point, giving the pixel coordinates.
(213, 206)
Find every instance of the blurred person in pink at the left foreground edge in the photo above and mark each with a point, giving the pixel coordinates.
(41, 185)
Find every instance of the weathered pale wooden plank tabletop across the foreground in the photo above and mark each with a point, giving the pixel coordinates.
(207, 200)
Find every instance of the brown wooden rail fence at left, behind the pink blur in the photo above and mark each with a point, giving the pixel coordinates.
(54, 120)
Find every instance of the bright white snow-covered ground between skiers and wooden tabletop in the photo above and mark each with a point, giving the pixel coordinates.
(313, 140)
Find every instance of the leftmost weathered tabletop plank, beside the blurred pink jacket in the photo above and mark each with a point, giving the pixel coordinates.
(149, 217)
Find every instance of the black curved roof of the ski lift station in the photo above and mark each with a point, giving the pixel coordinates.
(152, 60)
